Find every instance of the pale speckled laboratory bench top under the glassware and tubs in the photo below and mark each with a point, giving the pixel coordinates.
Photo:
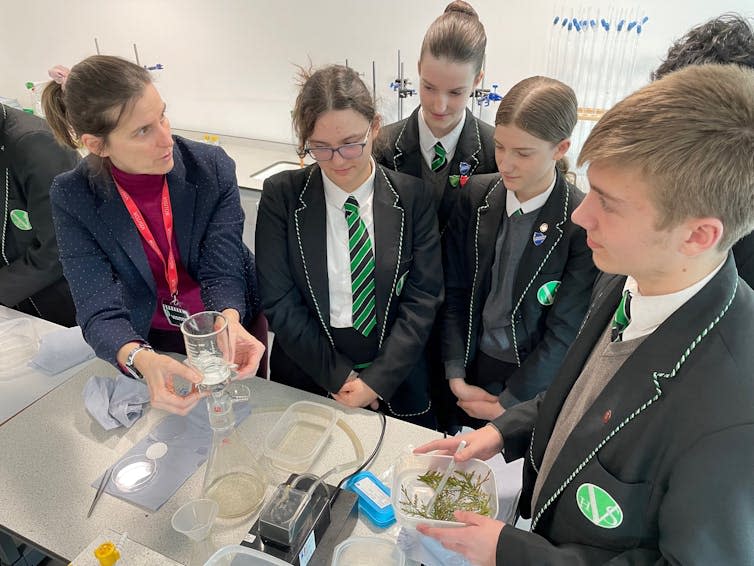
(53, 451)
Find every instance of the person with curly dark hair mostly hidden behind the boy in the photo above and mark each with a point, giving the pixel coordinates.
(723, 40)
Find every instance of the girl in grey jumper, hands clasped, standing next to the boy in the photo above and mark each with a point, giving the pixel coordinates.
(518, 271)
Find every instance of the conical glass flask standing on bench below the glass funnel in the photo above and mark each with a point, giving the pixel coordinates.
(234, 478)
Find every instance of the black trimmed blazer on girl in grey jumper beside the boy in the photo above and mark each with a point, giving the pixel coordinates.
(541, 333)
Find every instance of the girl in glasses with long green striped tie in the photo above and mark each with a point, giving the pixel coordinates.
(349, 260)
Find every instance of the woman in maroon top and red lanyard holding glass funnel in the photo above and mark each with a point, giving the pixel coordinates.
(149, 227)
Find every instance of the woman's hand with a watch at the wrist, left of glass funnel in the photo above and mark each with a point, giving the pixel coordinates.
(159, 372)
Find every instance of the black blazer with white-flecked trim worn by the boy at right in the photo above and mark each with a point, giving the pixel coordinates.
(669, 439)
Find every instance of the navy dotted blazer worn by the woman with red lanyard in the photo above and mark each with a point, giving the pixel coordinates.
(103, 256)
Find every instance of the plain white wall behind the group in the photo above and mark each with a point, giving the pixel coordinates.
(230, 64)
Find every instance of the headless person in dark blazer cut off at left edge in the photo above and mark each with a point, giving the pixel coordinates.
(31, 277)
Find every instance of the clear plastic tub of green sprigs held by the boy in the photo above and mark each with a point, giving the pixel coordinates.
(405, 477)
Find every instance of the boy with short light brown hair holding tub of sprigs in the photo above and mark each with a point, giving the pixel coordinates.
(640, 450)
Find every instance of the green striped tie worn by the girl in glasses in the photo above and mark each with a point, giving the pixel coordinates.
(362, 270)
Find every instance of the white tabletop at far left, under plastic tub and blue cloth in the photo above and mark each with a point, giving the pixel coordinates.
(30, 384)
